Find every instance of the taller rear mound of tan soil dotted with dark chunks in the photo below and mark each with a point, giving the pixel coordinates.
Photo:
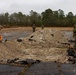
(47, 38)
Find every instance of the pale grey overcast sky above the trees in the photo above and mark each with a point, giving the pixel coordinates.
(25, 6)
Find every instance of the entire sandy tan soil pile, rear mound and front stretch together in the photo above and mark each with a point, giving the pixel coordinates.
(44, 45)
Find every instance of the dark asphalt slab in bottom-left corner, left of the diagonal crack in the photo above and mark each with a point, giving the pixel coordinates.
(9, 70)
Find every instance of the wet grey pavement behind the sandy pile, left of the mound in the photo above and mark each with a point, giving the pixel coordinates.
(14, 35)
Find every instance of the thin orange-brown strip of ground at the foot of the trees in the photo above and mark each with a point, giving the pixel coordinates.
(30, 29)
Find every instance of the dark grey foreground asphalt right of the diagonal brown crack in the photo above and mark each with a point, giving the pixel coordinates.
(50, 68)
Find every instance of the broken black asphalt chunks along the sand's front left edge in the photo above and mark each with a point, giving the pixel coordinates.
(17, 61)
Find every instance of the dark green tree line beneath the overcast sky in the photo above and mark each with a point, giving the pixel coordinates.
(48, 18)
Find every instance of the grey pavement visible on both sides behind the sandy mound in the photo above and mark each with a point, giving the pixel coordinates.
(15, 35)
